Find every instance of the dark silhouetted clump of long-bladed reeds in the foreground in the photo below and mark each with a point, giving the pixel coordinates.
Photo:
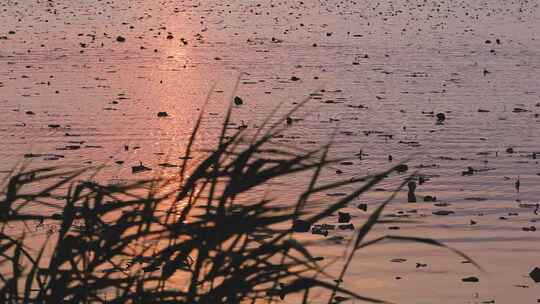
(192, 244)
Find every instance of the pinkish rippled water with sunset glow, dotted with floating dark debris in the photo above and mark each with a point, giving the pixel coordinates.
(375, 74)
